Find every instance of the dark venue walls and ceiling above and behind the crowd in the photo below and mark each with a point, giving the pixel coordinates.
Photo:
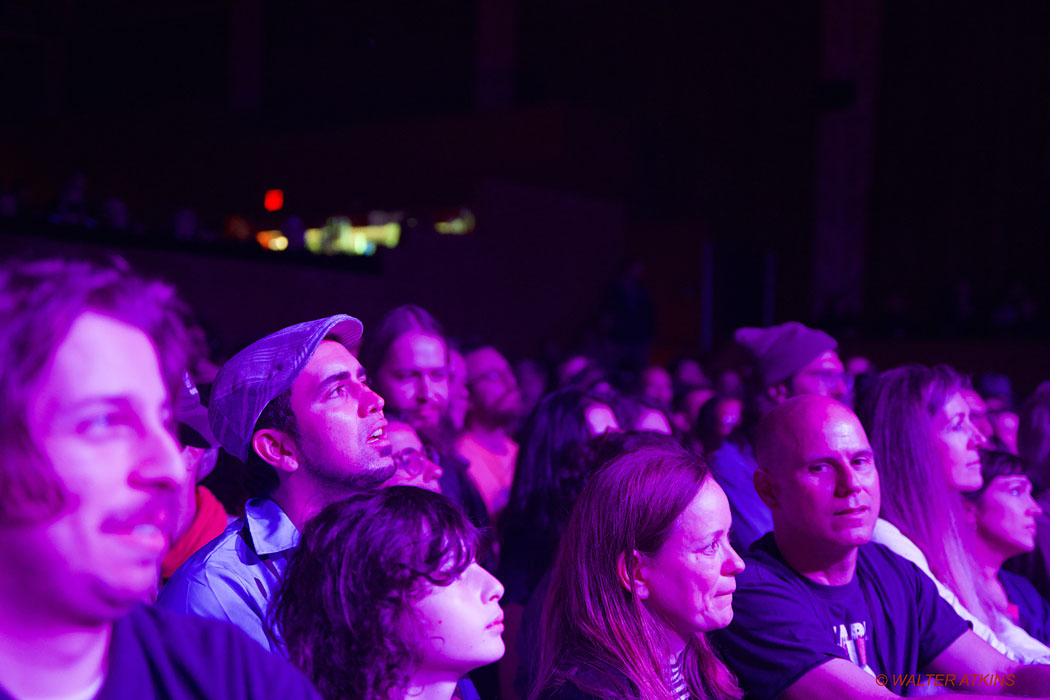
(856, 165)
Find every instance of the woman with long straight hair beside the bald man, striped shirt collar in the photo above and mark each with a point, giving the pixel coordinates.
(644, 570)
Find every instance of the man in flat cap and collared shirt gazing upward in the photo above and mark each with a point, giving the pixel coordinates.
(296, 408)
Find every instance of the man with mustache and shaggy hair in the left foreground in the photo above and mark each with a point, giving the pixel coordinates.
(90, 476)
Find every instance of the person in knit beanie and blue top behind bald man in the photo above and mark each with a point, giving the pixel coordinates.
(789, 360)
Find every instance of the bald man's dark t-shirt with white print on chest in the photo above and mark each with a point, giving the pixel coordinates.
(890, 620)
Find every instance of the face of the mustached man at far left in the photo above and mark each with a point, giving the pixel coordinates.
(101, 416)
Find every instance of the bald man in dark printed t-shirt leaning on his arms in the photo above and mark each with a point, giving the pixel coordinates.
(821, 612)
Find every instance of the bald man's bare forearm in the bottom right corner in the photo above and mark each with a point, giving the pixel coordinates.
(972, 656)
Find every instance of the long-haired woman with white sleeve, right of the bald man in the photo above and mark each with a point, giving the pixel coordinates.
(928, 452)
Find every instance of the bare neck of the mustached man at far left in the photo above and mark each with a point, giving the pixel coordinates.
(41, 657)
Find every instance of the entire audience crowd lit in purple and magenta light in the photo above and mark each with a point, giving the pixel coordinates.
(426, 519)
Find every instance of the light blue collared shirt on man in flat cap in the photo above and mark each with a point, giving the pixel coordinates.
(227, 580)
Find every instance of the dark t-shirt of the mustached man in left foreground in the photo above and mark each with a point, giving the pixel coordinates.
(158, 654)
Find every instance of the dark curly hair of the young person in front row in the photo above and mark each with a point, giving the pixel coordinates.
(345, 607)
